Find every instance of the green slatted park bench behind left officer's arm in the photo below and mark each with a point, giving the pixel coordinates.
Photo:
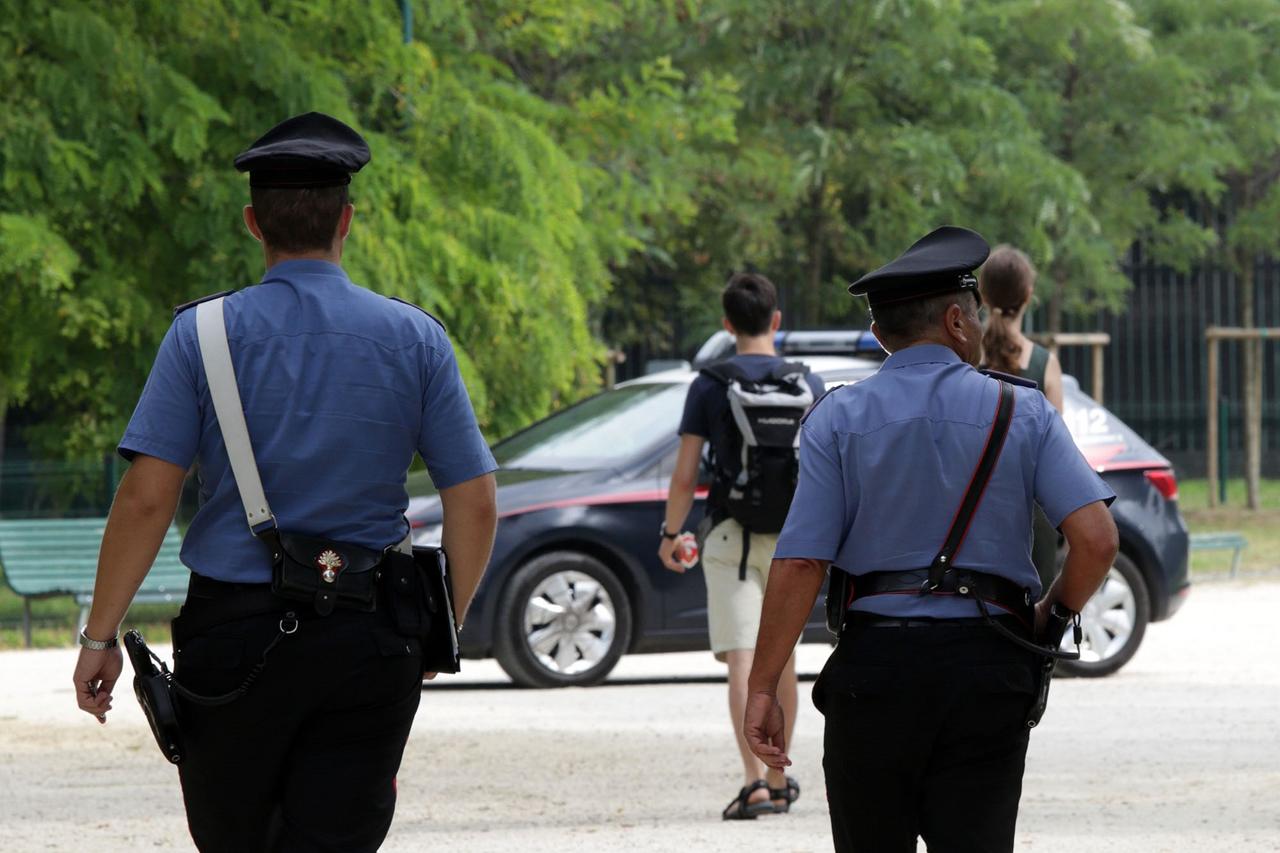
(44, 558)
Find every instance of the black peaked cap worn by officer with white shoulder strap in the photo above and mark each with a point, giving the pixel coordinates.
(310, 150)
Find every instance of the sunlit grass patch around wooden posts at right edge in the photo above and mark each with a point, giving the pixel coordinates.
(1260, 527)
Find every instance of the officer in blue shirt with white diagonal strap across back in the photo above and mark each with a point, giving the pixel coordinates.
(340, 389)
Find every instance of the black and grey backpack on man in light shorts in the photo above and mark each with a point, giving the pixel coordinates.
(755, 478)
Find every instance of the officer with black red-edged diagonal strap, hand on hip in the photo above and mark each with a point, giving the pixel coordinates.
(927, 704)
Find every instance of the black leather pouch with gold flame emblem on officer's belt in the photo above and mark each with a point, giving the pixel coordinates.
(324, 573)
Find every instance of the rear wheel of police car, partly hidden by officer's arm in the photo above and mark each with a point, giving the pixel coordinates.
(1114, 623)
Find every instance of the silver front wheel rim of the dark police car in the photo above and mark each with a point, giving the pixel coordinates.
(570, 623)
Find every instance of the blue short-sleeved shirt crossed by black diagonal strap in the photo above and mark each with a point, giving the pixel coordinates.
(885, 463)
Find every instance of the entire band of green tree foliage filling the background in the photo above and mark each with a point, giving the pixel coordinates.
(556, 176)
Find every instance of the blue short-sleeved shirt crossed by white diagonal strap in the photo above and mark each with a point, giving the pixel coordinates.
(340, 386)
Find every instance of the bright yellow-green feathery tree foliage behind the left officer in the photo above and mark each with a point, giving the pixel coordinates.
(499, 209)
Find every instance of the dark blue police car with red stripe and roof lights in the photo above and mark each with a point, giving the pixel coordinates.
(575, 581)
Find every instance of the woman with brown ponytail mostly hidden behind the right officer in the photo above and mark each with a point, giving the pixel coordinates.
(1007, 284)
